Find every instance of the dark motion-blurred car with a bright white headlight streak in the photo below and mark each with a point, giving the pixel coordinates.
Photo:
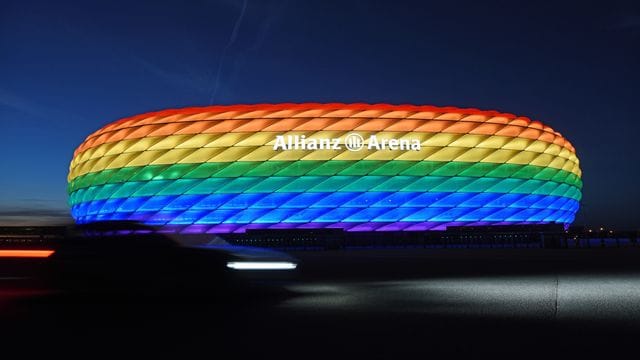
(119, 256)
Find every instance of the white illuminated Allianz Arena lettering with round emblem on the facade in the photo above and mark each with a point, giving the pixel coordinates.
(352, 142)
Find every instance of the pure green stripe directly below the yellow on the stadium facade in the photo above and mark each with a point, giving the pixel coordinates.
(323, 168)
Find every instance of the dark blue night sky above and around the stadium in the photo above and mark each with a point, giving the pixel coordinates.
(66, 69)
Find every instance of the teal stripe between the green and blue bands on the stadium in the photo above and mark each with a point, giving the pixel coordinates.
(255, 184)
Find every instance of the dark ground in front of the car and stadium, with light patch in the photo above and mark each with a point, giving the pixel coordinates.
(362, 303)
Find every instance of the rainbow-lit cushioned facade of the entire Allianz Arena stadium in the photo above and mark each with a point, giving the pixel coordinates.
(357, 167)
